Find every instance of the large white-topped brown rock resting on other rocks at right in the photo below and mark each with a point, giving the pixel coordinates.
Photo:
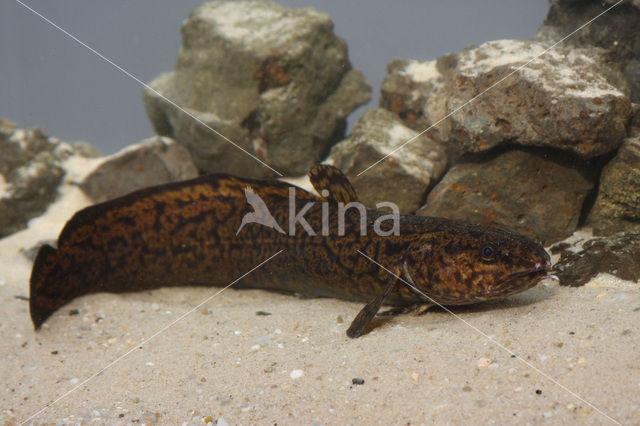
(561, 100)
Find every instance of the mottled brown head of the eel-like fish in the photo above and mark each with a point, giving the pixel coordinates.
(470, 263)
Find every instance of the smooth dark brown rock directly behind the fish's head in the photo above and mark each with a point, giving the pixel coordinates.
(528, 191)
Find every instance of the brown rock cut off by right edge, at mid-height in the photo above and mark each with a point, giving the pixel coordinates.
(617, 206)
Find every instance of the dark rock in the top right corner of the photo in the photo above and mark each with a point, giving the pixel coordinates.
(616, 32)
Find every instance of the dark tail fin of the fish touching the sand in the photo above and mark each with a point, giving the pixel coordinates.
(47, 292)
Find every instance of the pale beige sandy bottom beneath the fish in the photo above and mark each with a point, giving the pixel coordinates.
(131, 358)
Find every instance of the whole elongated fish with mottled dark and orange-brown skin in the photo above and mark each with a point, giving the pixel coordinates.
(185, 234)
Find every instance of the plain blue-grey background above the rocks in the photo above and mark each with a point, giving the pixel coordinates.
(50, 81)
